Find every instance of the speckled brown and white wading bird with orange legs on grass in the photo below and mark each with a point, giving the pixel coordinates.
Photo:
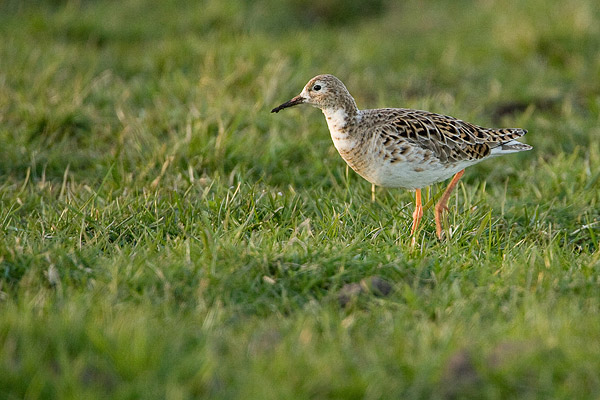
(401, 147)
